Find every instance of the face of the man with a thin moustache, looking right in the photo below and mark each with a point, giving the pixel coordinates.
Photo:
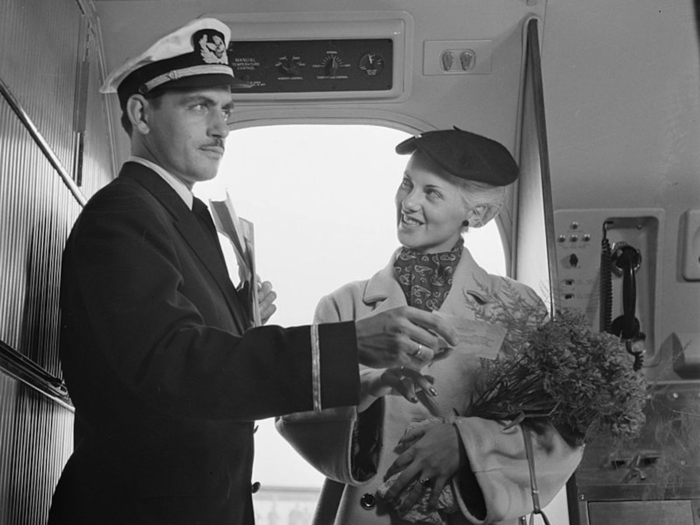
(186, 132)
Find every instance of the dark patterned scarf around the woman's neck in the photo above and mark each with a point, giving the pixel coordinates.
(426, 279)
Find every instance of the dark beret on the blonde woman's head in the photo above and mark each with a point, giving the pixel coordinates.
(465, 155)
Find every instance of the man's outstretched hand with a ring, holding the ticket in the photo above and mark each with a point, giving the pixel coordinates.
(403, 336)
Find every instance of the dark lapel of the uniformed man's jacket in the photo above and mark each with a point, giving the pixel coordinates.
(190, 229)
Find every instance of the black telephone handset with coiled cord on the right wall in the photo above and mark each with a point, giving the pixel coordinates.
(624, 260)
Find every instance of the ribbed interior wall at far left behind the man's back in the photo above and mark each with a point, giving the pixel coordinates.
(54, 153)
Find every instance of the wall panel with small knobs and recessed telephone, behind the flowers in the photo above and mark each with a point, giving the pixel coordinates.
(629, 299)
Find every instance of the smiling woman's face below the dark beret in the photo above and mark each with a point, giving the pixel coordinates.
(430, 209)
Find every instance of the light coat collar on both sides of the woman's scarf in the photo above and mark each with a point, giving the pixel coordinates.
(469, 278)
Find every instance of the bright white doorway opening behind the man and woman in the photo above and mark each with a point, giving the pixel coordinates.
(322, 202)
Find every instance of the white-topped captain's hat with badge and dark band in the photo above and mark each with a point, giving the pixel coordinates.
(192, 56)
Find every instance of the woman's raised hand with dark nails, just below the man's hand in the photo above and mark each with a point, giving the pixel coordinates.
(404, 380)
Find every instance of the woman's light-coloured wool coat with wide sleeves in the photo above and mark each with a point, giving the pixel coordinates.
(496, 456)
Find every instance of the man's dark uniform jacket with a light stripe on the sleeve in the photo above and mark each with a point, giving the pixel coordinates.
(165, 378)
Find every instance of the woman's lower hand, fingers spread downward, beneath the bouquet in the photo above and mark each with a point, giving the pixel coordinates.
(435, 453)
